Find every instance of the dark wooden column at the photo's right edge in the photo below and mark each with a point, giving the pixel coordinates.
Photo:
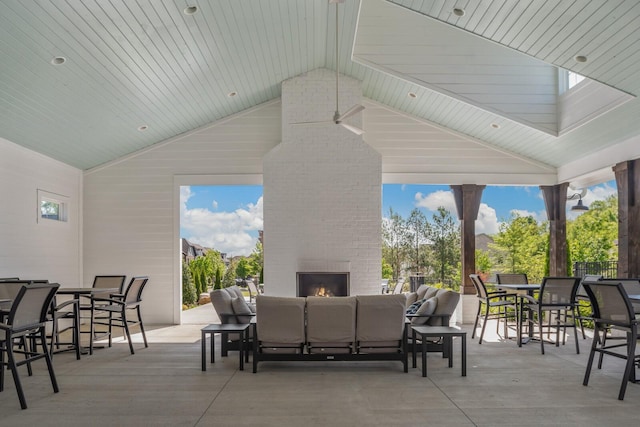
(628, 182)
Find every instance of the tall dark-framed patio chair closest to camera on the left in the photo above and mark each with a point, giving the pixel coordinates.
(27, 318)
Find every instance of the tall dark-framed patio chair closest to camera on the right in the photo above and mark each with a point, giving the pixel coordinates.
(612, 310)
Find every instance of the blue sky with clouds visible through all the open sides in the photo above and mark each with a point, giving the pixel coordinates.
(227, 218)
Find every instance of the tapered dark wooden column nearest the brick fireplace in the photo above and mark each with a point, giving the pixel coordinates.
(467, 198)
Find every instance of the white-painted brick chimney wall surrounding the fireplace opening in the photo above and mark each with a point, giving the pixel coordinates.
(322, 191)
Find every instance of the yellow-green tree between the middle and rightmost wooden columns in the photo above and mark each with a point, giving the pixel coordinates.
(592, 235)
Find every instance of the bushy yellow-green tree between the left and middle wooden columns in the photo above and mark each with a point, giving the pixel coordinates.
(521, 246)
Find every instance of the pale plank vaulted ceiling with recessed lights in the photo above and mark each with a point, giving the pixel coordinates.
(132, 63)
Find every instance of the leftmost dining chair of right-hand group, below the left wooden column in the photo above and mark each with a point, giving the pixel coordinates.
(500, 301)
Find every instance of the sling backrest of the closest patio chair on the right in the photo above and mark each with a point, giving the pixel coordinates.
(610, 303)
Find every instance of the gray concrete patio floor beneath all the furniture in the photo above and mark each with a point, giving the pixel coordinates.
(163, 385)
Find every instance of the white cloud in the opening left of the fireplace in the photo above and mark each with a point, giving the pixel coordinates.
(224, 231)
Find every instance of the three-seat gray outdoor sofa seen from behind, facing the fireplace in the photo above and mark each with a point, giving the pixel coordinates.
(366, 327)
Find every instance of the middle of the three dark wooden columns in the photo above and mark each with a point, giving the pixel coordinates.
(555, 201)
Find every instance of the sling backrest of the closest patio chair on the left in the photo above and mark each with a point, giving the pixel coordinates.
(30, 306)
